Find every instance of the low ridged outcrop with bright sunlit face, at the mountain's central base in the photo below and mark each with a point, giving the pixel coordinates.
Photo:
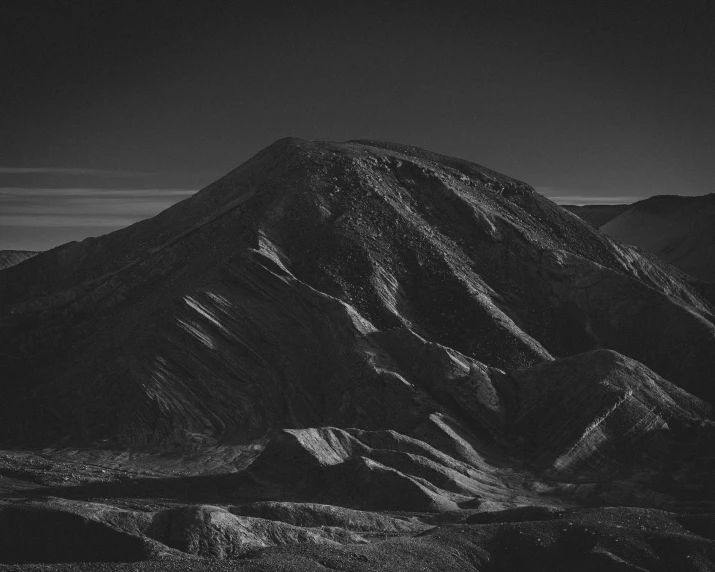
(361, 469)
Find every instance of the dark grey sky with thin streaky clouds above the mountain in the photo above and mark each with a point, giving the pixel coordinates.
(112, 110)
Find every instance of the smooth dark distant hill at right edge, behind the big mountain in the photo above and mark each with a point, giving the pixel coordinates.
(680, 230)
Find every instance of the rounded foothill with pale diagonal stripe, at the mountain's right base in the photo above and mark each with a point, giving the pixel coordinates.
(597, 414)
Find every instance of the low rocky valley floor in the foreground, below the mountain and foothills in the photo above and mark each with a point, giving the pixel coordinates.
(107, 511)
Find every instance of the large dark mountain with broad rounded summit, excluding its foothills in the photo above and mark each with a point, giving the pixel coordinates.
(261, 302)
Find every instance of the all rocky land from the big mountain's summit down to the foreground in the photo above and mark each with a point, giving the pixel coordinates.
(356, 356)
